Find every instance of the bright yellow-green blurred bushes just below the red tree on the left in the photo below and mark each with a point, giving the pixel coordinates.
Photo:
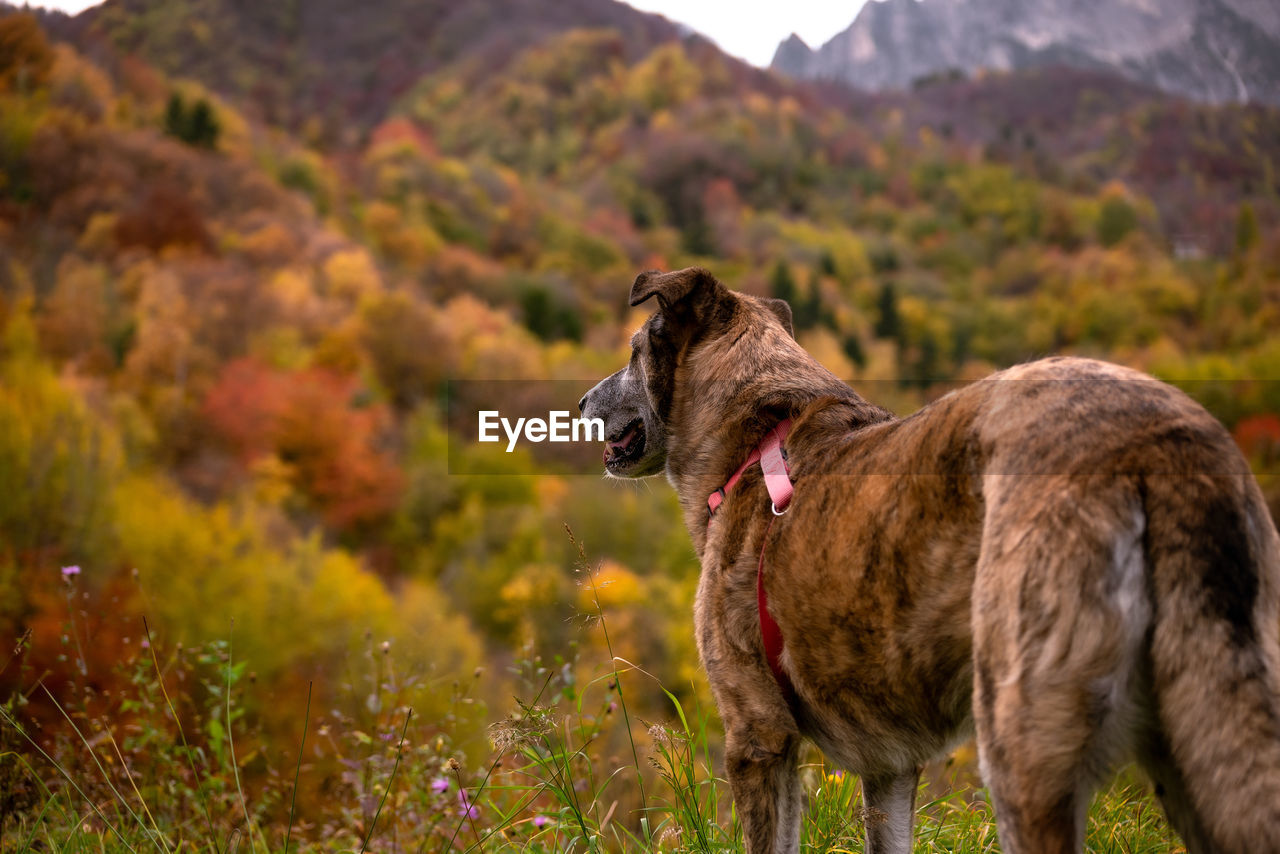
(213, 574)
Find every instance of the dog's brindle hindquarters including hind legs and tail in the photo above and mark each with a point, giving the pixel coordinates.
(1126, 606)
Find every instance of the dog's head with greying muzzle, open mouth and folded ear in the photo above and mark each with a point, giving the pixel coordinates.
(637, 403)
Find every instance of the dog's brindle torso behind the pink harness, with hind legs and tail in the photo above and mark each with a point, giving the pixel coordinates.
(1075, 552)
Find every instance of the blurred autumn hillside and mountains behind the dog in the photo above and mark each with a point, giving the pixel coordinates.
(246, 246)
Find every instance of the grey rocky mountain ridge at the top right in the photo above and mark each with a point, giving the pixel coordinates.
(1210, 51)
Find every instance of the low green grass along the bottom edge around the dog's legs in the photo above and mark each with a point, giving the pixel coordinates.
(543, 791)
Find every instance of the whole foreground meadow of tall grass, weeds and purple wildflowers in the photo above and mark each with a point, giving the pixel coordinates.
(572, 769)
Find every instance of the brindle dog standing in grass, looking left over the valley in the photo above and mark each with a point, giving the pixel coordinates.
(1071, 558)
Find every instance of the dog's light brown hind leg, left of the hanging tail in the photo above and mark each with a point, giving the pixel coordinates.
(1059, 627)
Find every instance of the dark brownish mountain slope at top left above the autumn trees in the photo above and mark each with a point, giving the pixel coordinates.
(333, 63)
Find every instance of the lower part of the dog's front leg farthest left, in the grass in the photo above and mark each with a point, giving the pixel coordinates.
(766, 783)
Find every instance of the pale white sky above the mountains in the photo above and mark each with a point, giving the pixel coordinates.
(749, 30)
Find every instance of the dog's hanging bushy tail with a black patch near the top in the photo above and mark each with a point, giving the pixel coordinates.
(1215, 661)
